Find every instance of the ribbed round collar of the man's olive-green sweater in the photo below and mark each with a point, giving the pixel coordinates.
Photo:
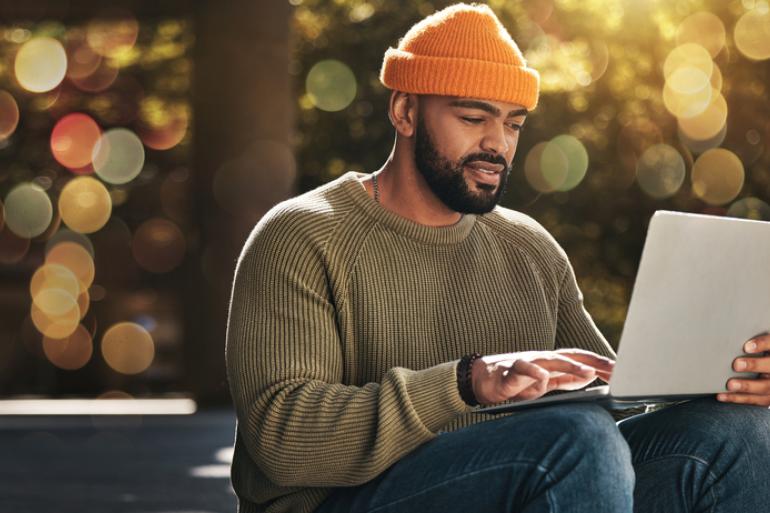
(431, 234)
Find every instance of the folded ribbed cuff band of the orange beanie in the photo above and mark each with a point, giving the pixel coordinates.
(452, 76)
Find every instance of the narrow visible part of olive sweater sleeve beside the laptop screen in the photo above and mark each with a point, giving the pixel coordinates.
(574, 325)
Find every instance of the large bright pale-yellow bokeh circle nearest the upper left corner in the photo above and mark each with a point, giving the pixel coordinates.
(40, 64)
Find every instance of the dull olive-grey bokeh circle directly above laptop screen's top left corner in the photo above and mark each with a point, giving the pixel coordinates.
(660, 171)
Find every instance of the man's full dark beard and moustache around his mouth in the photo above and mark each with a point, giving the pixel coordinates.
(446, 178)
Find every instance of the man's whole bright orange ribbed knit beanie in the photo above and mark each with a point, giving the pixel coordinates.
(462, 50)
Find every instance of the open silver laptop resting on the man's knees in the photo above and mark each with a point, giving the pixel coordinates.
(702, 290)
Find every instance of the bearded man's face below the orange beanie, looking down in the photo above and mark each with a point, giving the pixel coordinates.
(464, 149)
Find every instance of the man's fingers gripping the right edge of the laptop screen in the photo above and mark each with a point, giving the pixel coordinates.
(751, 391)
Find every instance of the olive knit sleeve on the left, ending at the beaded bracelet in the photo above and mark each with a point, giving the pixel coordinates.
(300, 424)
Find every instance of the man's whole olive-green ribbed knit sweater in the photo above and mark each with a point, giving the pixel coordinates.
(346, 324)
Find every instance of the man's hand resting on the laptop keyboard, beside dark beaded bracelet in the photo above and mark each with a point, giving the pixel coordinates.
(531, 374)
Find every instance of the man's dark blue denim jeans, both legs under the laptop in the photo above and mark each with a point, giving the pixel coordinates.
(700, 456)
